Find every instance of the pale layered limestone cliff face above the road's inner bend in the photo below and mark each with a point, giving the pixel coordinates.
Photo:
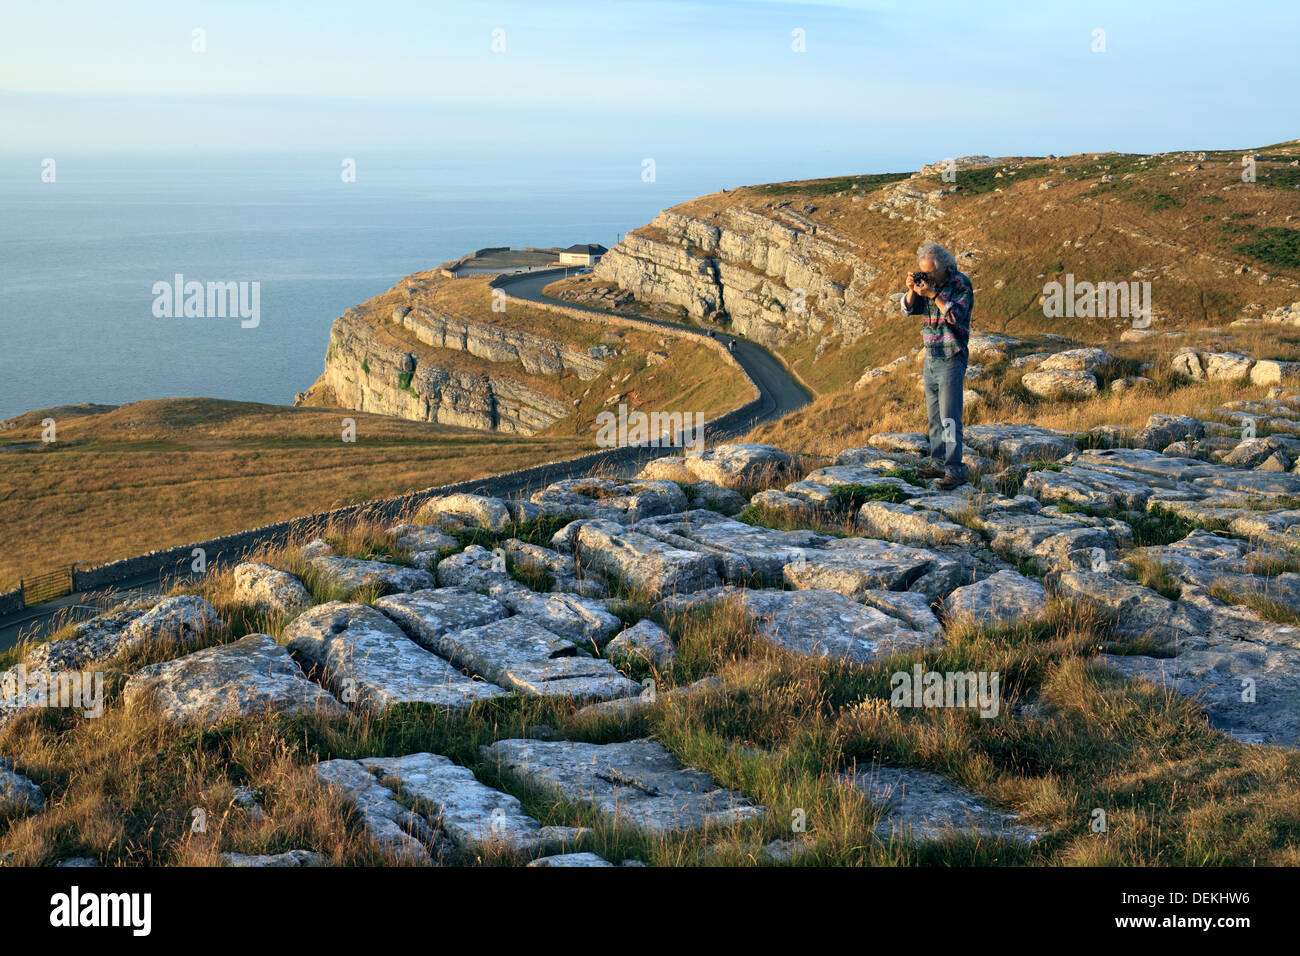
(778, 278)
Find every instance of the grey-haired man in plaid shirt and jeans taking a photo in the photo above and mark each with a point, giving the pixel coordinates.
(944, 296)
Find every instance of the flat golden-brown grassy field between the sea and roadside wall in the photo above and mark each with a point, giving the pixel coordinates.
(123, 481)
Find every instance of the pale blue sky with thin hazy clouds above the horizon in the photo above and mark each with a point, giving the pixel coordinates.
(892, 84)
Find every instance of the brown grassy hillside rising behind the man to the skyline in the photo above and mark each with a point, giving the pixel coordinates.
(1212, 246)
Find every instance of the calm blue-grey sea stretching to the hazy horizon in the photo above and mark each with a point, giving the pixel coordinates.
(88, 241)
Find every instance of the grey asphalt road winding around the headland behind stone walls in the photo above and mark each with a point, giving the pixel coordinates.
(779, 395)
